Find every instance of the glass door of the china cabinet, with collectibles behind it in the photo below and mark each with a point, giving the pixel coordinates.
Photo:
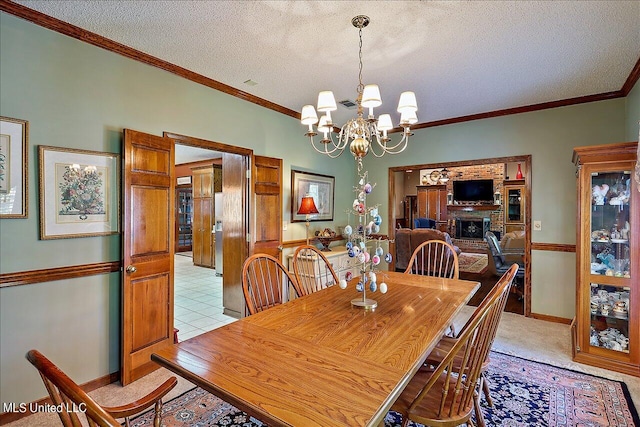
(611, 247)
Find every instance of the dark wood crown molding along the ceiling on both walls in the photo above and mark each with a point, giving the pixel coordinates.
(78, 33)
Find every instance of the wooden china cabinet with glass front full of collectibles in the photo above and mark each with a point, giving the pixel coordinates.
(606, 329)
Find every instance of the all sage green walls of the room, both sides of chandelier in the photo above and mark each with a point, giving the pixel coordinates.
(79, 96)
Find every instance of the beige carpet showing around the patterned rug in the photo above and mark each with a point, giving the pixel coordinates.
(517, 335)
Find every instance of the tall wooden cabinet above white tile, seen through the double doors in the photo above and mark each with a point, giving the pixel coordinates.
(206, 182)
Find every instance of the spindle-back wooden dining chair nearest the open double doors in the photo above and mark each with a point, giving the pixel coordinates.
(266, 283)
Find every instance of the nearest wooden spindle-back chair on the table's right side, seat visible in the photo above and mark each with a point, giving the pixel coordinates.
(447, 395)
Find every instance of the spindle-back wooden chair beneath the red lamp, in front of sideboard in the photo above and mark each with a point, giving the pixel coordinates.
(312, 269)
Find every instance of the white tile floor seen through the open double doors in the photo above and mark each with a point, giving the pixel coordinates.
(197, 299)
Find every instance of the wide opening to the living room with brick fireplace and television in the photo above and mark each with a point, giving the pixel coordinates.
(428, 190)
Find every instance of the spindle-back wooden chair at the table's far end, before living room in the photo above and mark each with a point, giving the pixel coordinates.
(434, 258)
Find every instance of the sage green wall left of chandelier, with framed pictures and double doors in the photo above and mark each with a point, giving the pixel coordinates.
(79, 96)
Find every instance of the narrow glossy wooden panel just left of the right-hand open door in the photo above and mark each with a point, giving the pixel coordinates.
(235, 245)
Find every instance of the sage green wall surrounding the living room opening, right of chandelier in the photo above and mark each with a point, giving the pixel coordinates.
(549, 136)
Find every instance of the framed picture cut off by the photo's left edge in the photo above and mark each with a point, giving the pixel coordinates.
(14, 141)
